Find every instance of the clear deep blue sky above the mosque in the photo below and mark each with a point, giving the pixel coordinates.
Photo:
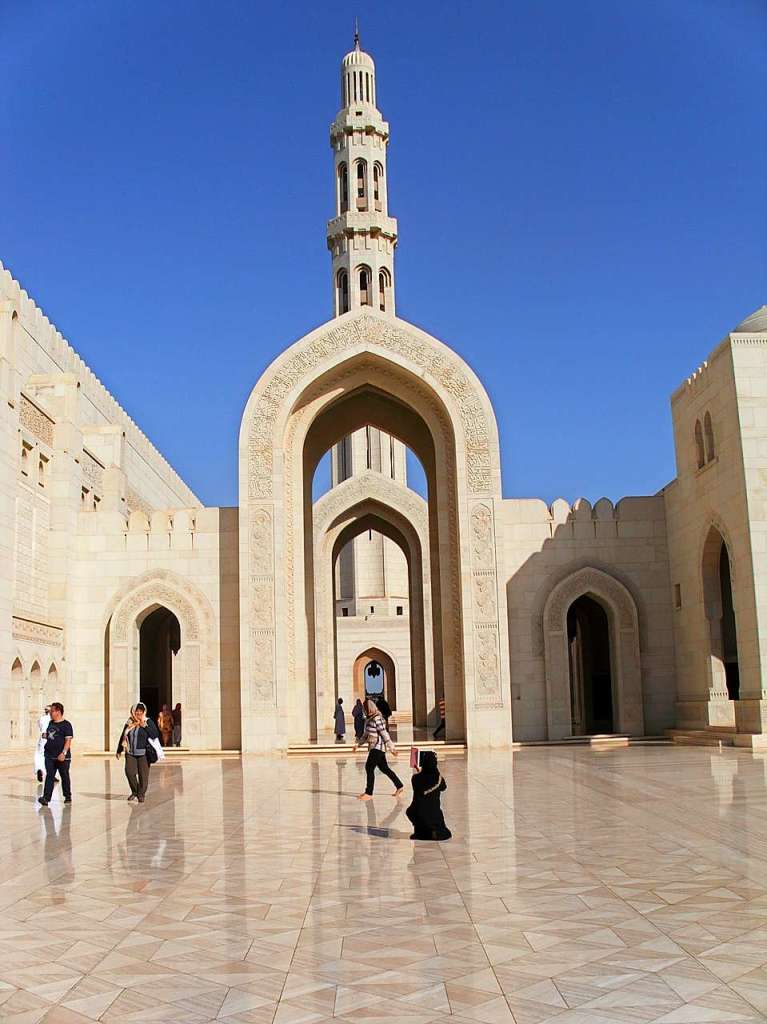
(580, 189)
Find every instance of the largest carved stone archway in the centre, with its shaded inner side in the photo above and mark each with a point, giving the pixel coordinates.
(409, 382)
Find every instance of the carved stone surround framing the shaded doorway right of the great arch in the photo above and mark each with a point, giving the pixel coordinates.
(625, 651)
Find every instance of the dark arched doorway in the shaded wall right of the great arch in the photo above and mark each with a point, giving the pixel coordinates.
(591, 680)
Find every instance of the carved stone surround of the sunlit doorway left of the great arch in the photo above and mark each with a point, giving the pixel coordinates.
(196, 664)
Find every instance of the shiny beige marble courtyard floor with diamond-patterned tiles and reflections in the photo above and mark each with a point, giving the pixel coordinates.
(582, 886)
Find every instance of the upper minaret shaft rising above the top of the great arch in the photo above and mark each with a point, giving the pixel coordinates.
(362, 237)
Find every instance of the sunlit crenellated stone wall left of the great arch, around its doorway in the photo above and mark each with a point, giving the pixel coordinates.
(184, 560)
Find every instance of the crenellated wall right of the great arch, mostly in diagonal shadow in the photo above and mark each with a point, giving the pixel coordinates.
(543, 547)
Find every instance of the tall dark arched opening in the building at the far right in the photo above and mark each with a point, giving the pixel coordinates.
(720, 613)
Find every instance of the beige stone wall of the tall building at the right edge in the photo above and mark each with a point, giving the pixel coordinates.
(727, 493)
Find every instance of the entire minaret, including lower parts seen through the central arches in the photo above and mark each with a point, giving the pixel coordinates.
(372, 579)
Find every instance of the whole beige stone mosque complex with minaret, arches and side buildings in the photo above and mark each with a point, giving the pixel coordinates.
(534, 623)
